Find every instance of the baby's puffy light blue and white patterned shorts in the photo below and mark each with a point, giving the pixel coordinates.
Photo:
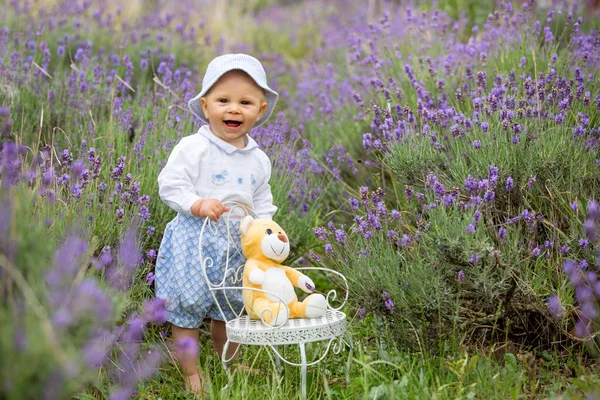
(179, 276)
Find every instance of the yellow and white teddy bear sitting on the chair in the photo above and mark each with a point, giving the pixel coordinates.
(265, 246)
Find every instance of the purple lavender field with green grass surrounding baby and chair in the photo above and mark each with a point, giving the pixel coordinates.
(444, 156)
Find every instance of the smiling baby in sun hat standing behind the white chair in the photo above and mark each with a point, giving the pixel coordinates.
(219, 165)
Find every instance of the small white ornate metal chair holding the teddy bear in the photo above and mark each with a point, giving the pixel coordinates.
(329, 328)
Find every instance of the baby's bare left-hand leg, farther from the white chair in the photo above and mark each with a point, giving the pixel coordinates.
(186, 351)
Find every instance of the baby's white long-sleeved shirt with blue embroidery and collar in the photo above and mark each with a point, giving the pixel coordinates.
(202, 166)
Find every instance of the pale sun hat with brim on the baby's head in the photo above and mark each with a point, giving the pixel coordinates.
(229, 62)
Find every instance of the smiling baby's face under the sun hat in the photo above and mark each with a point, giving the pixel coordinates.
(232, 106)
